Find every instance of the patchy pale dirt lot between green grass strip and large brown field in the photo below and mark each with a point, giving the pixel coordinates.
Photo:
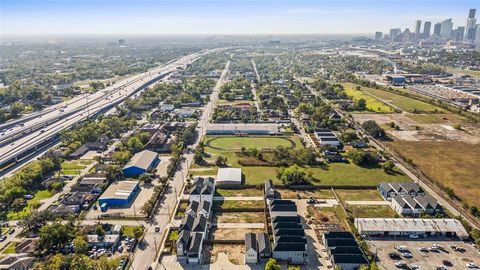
(425, 127)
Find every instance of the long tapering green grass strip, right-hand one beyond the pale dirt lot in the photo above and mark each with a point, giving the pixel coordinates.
(404, 103)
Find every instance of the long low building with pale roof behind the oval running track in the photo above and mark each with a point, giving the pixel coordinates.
(243, 129)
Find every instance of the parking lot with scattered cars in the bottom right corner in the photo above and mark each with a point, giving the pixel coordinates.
(425, 259)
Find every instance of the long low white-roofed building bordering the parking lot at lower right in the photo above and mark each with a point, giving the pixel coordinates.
(408, 226)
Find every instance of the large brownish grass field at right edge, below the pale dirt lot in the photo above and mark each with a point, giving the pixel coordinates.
(452, 164)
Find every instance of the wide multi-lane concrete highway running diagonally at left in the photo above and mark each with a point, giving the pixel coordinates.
(22, 138)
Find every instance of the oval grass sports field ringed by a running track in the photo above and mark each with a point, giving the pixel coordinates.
(260, 142)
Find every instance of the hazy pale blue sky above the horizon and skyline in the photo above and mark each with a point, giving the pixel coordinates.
(223, 16)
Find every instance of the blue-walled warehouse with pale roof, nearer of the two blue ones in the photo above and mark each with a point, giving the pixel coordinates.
(119, 195)
